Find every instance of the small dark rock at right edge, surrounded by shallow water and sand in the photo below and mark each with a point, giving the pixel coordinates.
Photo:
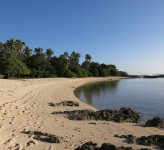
(155, 122)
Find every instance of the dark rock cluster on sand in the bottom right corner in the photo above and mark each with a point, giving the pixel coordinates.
(144, 140)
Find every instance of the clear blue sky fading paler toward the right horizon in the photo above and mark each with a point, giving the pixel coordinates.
(127, 33)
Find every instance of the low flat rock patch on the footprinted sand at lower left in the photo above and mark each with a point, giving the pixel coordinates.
(44, 137)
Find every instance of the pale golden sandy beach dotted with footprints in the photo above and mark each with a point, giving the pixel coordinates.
(24, 106)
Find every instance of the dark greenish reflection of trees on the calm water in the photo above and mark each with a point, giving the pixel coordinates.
(98, 89)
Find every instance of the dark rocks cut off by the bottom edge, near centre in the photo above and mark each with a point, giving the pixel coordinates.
(105, 146)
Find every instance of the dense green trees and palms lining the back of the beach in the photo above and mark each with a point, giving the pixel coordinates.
(18, 60)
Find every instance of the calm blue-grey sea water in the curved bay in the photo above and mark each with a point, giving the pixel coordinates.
(143, 95)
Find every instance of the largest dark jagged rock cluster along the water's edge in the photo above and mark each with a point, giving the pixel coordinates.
(122, 115)
